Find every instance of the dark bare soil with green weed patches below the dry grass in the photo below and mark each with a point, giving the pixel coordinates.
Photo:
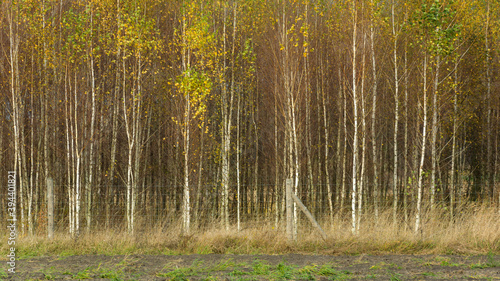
(256, 267)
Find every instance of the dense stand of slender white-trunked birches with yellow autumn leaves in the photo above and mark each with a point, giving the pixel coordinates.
(196, 112)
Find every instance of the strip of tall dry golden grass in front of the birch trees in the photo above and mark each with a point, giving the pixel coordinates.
(475, 230)
